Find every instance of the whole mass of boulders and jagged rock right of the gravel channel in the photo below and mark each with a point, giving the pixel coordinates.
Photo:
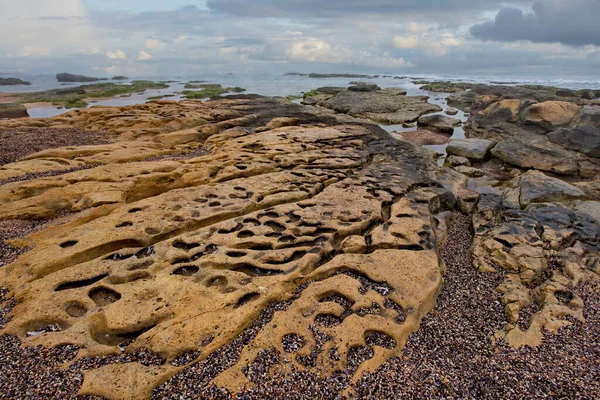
(538, 224)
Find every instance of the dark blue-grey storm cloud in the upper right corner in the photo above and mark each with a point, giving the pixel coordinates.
(572, 22)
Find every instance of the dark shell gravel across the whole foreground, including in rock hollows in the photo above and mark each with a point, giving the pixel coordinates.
(449, 357)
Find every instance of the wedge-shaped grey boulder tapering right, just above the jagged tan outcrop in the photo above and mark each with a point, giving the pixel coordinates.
(537, 187)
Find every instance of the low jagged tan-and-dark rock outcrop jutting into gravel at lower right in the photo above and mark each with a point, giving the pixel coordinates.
(546, 250)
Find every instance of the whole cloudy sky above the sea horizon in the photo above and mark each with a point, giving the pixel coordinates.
(538, 38)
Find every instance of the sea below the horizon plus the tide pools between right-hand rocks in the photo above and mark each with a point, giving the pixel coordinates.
(294, 85)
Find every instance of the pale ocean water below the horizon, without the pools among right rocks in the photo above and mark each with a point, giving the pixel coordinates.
(283, 85)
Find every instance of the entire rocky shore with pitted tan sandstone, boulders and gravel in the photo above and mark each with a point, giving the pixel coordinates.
(249, 247)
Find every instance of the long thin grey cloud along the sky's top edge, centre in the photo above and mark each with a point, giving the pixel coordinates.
(318, 8)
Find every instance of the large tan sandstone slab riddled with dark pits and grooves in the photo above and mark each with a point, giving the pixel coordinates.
(179, 254)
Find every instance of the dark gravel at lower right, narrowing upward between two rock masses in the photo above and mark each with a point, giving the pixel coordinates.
(451, 357)
